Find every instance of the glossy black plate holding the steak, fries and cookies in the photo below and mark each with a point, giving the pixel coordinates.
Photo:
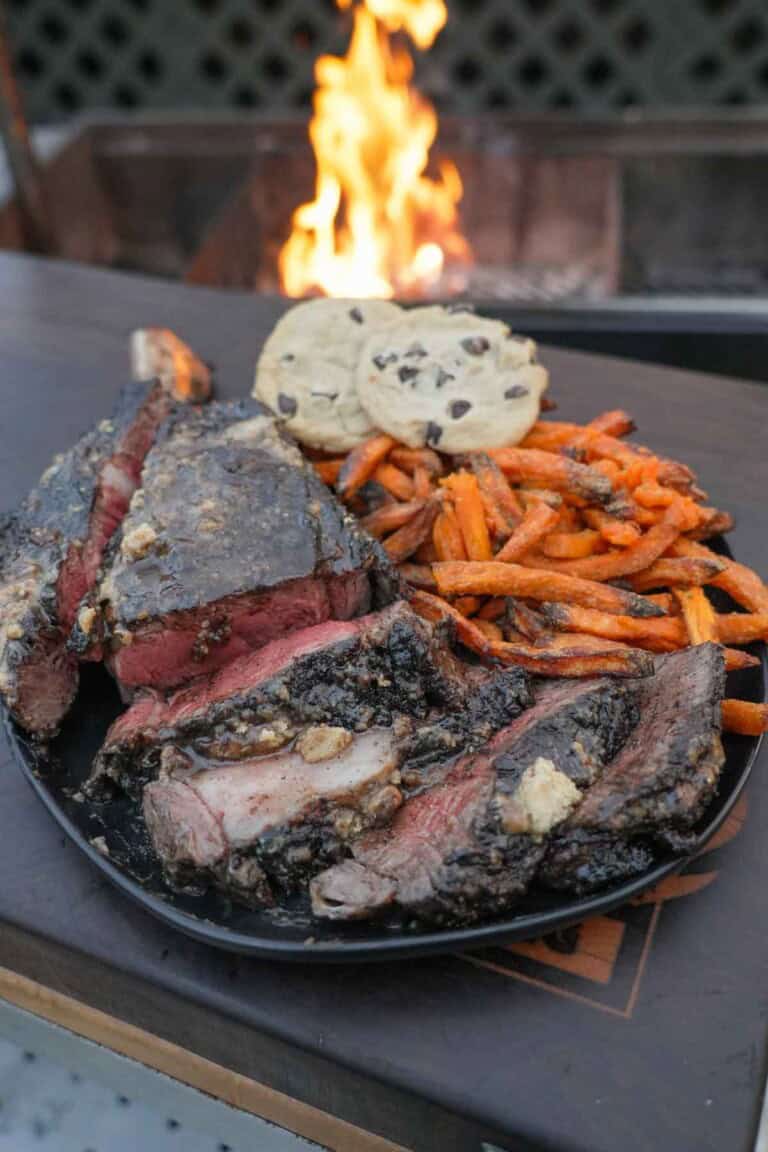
(292, 934)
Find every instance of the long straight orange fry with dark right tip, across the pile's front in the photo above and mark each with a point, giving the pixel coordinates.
(495, 579)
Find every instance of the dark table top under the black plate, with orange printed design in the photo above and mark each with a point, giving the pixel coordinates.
(645, 1032)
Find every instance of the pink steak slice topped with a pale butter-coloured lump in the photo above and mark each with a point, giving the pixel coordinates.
(468, 845)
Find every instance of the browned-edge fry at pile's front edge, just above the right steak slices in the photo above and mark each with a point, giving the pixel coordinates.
(575, 656)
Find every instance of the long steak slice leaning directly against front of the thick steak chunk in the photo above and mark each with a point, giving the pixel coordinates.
(355, 674)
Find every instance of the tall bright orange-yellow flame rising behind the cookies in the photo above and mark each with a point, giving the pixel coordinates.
(378, 225)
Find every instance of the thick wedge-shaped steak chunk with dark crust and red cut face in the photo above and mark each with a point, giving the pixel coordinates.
(232, 542)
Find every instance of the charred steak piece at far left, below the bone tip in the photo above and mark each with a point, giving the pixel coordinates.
(51, 551)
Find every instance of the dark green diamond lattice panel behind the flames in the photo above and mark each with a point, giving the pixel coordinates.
(592, 56)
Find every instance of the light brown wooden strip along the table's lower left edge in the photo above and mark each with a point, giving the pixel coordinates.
(189, 1068)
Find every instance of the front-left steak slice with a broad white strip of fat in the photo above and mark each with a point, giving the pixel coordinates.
(257, 825)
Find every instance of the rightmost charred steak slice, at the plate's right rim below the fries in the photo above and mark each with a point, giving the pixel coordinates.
(660, 784)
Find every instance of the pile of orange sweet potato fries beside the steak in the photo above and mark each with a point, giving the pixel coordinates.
(572, 555)
